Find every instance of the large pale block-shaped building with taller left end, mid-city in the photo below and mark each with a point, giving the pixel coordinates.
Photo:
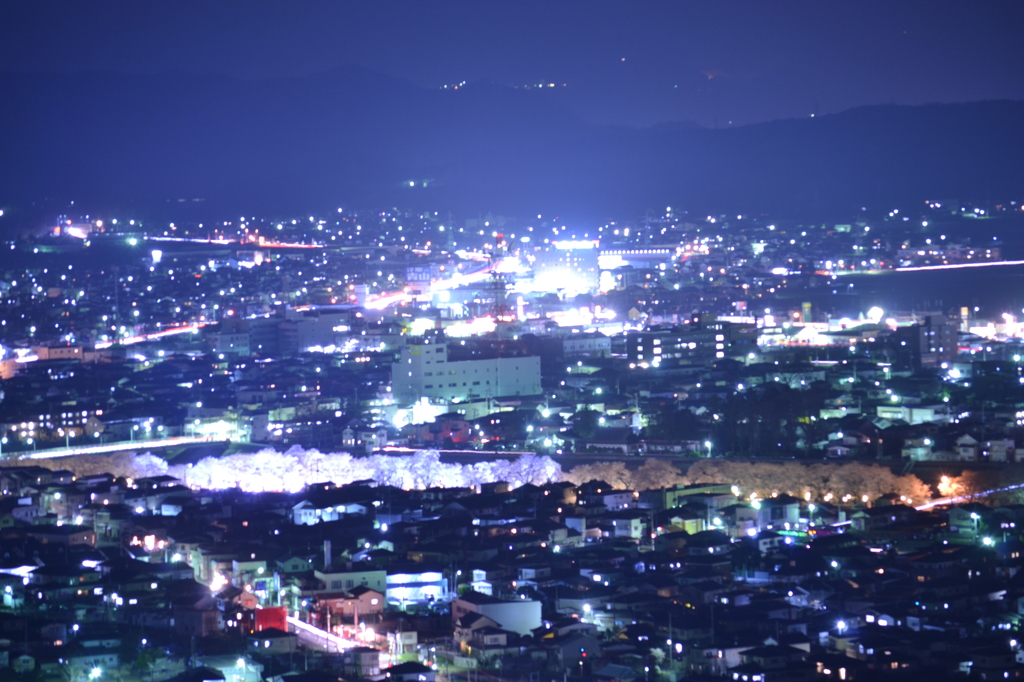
(424, 371)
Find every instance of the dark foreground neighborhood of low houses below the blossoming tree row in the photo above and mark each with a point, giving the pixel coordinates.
(150, 578)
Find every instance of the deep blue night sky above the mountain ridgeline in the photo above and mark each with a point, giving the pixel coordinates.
(638, 64)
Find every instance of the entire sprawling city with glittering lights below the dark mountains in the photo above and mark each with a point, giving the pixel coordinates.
(702, 397)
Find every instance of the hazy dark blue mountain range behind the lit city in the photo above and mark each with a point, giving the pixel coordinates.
(352, 138)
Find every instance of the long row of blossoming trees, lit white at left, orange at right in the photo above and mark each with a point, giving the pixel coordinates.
(293, 471)
